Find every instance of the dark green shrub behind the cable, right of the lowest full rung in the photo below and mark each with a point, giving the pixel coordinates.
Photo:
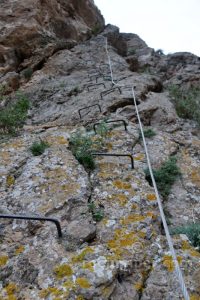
(165, 176)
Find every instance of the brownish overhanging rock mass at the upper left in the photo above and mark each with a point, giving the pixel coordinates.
(31, 31)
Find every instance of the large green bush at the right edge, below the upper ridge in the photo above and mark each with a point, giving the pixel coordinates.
(186, 102)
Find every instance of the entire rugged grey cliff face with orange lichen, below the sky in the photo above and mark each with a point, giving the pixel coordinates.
(113, 245)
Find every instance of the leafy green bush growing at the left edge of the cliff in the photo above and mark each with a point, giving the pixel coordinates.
(13, 116)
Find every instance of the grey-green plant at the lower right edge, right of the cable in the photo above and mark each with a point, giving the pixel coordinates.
(192, 231)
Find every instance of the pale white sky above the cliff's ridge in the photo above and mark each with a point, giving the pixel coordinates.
(170, 25)
